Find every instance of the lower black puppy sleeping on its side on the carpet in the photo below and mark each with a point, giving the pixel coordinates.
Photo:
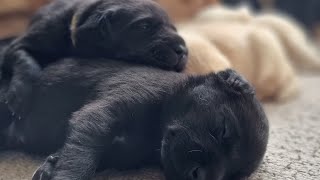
(114, 114)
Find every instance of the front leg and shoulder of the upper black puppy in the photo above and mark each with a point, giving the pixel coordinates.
(21, 63)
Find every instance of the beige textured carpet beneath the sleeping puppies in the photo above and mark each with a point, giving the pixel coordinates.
(293, 153)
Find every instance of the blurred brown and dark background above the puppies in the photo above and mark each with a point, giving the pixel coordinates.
(14, 14)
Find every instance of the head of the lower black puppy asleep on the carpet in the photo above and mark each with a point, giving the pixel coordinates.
(218, 130)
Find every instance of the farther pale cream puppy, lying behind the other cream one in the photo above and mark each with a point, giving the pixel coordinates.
(298, 47)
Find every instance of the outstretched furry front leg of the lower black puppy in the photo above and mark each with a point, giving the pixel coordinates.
(90, 135)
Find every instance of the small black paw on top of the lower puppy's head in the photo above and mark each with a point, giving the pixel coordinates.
(236, 82)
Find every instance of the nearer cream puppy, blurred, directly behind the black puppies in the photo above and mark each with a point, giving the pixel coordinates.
(254, 52)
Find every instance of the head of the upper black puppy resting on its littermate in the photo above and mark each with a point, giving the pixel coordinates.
(132, 30)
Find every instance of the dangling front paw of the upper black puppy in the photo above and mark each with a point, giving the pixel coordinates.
(17, 97)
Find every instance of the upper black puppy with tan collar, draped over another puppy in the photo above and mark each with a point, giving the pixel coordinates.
(129, 30)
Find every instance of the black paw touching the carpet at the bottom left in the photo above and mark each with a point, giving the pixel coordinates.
(45, 171)
